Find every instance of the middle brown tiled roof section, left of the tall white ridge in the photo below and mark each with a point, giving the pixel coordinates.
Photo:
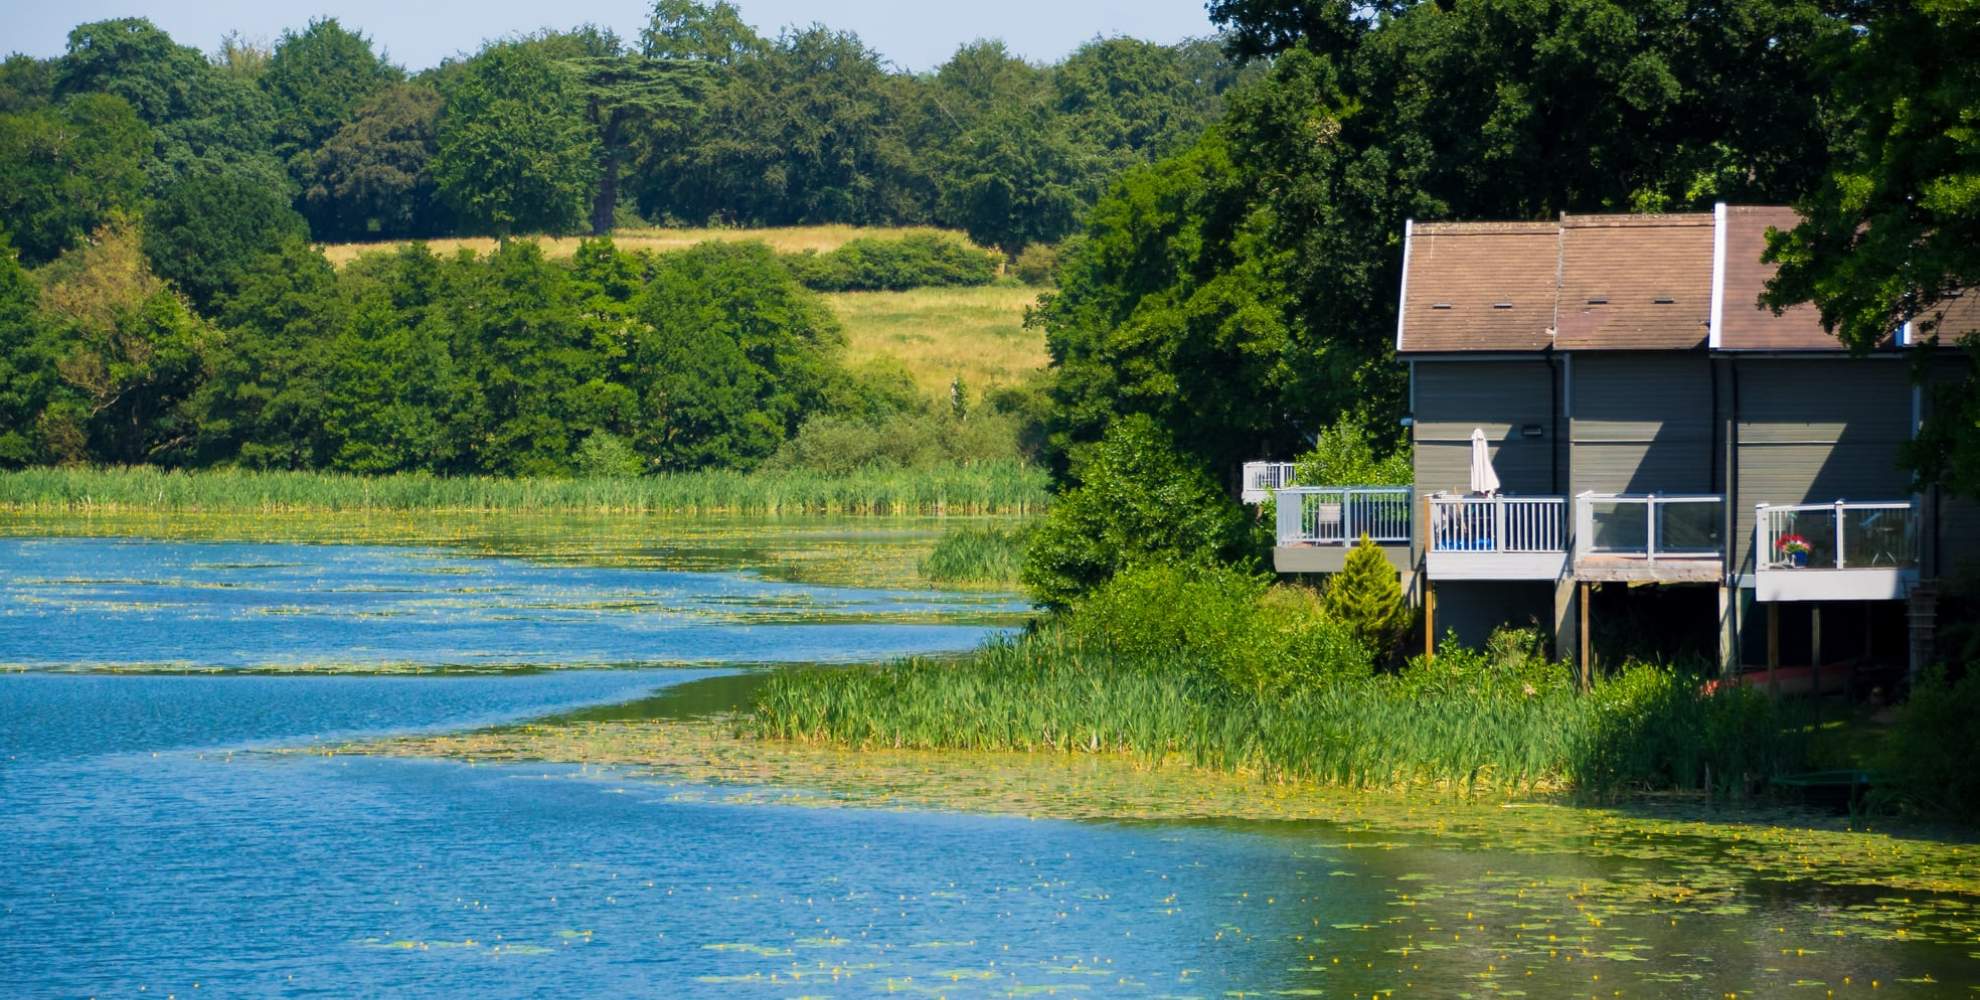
(1634, 282)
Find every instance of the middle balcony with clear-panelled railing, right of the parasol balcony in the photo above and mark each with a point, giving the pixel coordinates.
(1650, 538)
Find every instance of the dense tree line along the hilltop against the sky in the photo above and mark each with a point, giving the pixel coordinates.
(698, 122)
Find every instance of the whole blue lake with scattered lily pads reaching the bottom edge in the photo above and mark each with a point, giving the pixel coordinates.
(161, 845)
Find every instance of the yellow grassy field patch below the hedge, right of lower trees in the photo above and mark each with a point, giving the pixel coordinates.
(941, 334)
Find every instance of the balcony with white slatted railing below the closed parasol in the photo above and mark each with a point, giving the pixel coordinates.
(1498, 538)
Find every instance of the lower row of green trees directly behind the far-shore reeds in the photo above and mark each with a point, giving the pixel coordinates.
(510, 363)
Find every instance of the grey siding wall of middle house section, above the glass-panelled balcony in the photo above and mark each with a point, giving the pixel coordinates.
(1642, 423)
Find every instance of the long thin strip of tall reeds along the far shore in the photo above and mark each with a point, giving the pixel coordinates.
(985, 488)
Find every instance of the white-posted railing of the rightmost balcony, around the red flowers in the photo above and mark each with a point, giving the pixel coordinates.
(1836, 536)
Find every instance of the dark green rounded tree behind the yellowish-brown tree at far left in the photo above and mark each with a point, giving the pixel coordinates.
(207, 231)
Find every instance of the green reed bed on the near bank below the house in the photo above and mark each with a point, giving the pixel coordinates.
(1462, 728)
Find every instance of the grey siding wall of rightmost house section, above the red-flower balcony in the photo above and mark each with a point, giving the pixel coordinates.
(1819, 431)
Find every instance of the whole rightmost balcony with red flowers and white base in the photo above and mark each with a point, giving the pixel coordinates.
(1836, 551)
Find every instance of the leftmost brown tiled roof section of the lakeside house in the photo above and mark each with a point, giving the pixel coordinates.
(1478, 286)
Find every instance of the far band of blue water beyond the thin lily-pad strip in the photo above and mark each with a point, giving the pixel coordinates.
(72, 603)
